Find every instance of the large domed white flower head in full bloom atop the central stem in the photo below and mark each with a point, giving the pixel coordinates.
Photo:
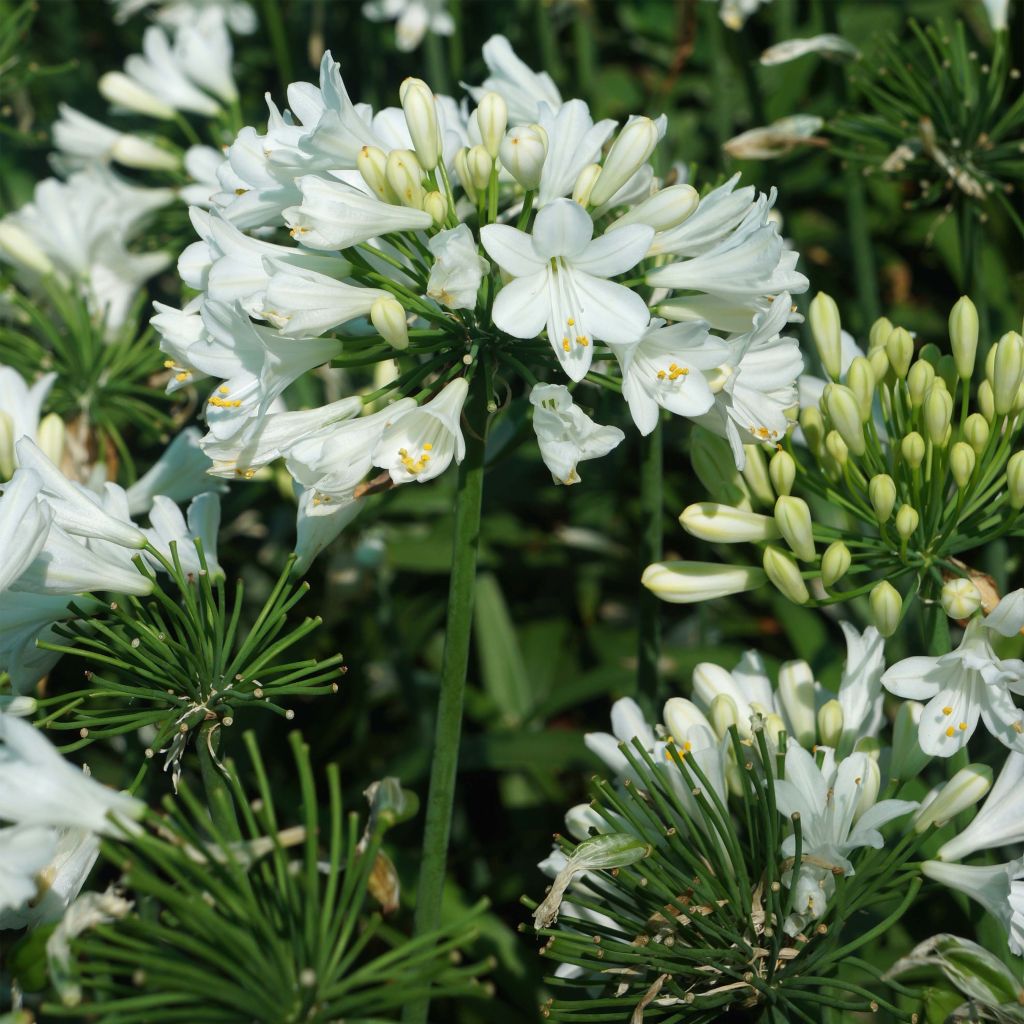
(519, 237)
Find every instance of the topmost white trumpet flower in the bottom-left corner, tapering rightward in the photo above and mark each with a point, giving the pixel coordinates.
(39, 788)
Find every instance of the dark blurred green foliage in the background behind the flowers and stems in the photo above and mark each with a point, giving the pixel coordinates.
(556, 625)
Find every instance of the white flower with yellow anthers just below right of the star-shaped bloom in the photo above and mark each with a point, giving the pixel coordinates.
(664, 370)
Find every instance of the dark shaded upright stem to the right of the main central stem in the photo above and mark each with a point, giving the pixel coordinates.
(650, 647)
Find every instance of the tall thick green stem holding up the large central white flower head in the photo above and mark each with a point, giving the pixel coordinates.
(453, 687)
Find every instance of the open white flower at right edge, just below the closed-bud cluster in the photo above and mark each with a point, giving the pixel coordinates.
(969, 684)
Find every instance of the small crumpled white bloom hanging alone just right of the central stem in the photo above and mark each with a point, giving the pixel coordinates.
(567, 436)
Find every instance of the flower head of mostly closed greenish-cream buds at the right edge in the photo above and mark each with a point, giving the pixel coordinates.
(909, 459)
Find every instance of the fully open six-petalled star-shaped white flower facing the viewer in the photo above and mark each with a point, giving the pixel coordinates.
(562, 283)
